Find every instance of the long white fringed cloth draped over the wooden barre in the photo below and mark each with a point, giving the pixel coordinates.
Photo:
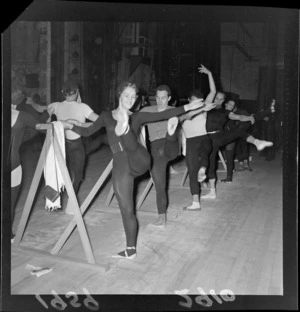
(52, 173)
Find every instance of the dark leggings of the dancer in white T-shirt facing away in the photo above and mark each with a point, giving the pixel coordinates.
(75, 158)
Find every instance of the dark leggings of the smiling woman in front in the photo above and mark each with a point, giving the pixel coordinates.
(128, 164)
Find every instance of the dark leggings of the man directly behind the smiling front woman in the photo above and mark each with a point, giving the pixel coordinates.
(162, 151)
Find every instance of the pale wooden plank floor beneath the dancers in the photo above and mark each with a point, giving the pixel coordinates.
(234, 242)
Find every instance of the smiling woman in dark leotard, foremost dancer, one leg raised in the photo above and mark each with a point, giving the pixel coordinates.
(130, 159)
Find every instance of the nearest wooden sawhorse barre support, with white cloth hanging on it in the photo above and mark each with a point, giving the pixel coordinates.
(51, 138)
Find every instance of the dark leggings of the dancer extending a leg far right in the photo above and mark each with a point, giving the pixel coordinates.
(220, 139)
